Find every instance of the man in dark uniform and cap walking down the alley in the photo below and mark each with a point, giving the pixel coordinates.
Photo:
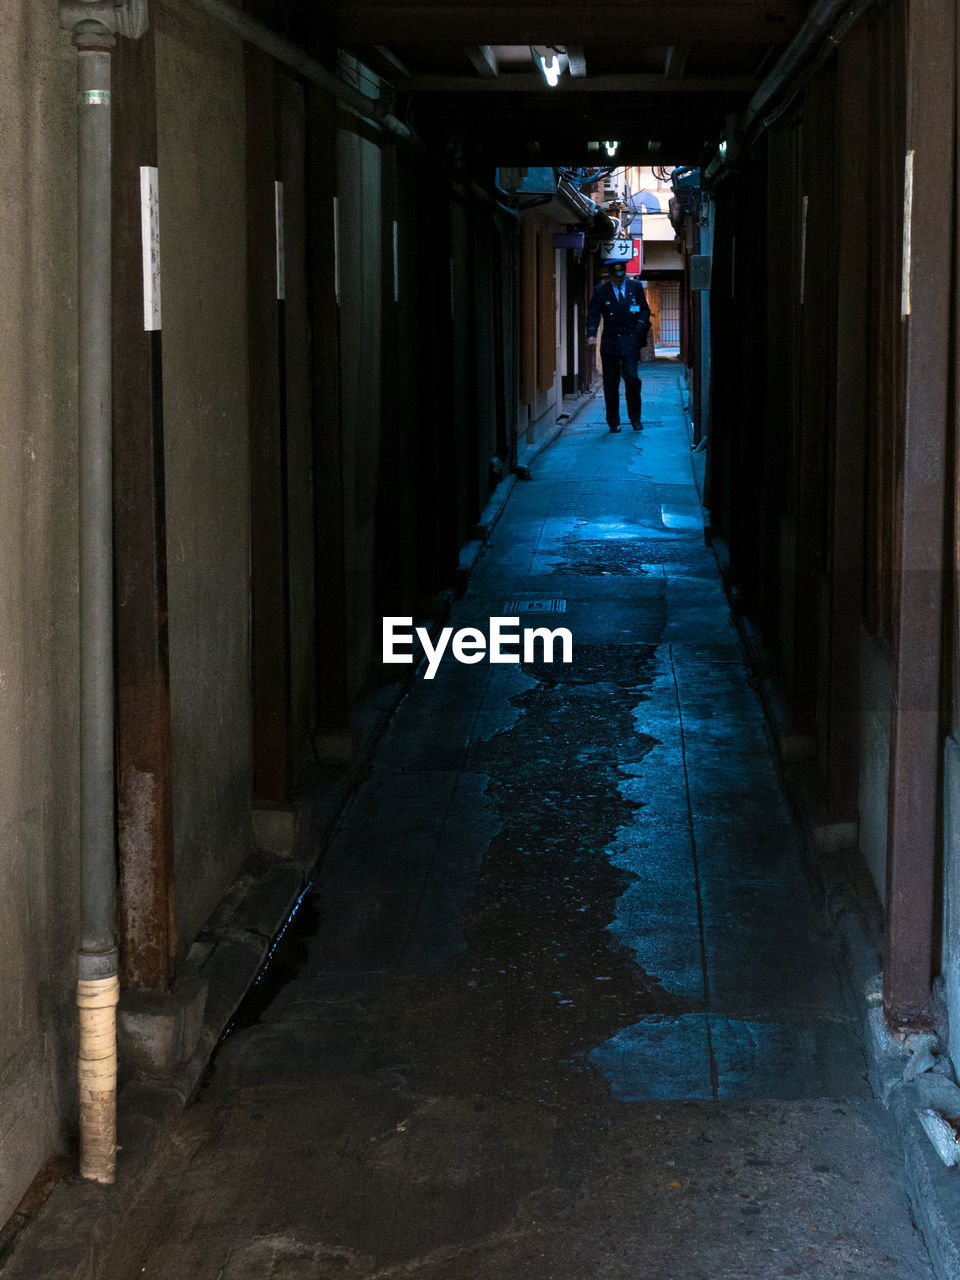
(621, 304)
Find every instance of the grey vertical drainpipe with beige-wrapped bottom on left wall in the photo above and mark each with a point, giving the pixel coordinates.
(94, 26)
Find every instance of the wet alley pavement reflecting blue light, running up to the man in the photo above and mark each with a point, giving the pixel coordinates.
(563, 1003)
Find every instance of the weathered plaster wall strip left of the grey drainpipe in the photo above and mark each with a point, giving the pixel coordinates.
(39, 820)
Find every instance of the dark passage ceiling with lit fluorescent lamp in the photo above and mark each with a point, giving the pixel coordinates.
(659, 77)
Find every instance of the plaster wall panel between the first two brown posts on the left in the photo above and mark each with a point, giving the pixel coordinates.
(203, 246)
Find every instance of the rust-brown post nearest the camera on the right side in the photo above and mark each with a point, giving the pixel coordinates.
(916, 724)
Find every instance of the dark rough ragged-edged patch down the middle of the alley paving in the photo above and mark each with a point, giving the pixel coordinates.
(542, 981)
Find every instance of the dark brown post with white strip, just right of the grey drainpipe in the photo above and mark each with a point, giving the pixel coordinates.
(148, 922)
